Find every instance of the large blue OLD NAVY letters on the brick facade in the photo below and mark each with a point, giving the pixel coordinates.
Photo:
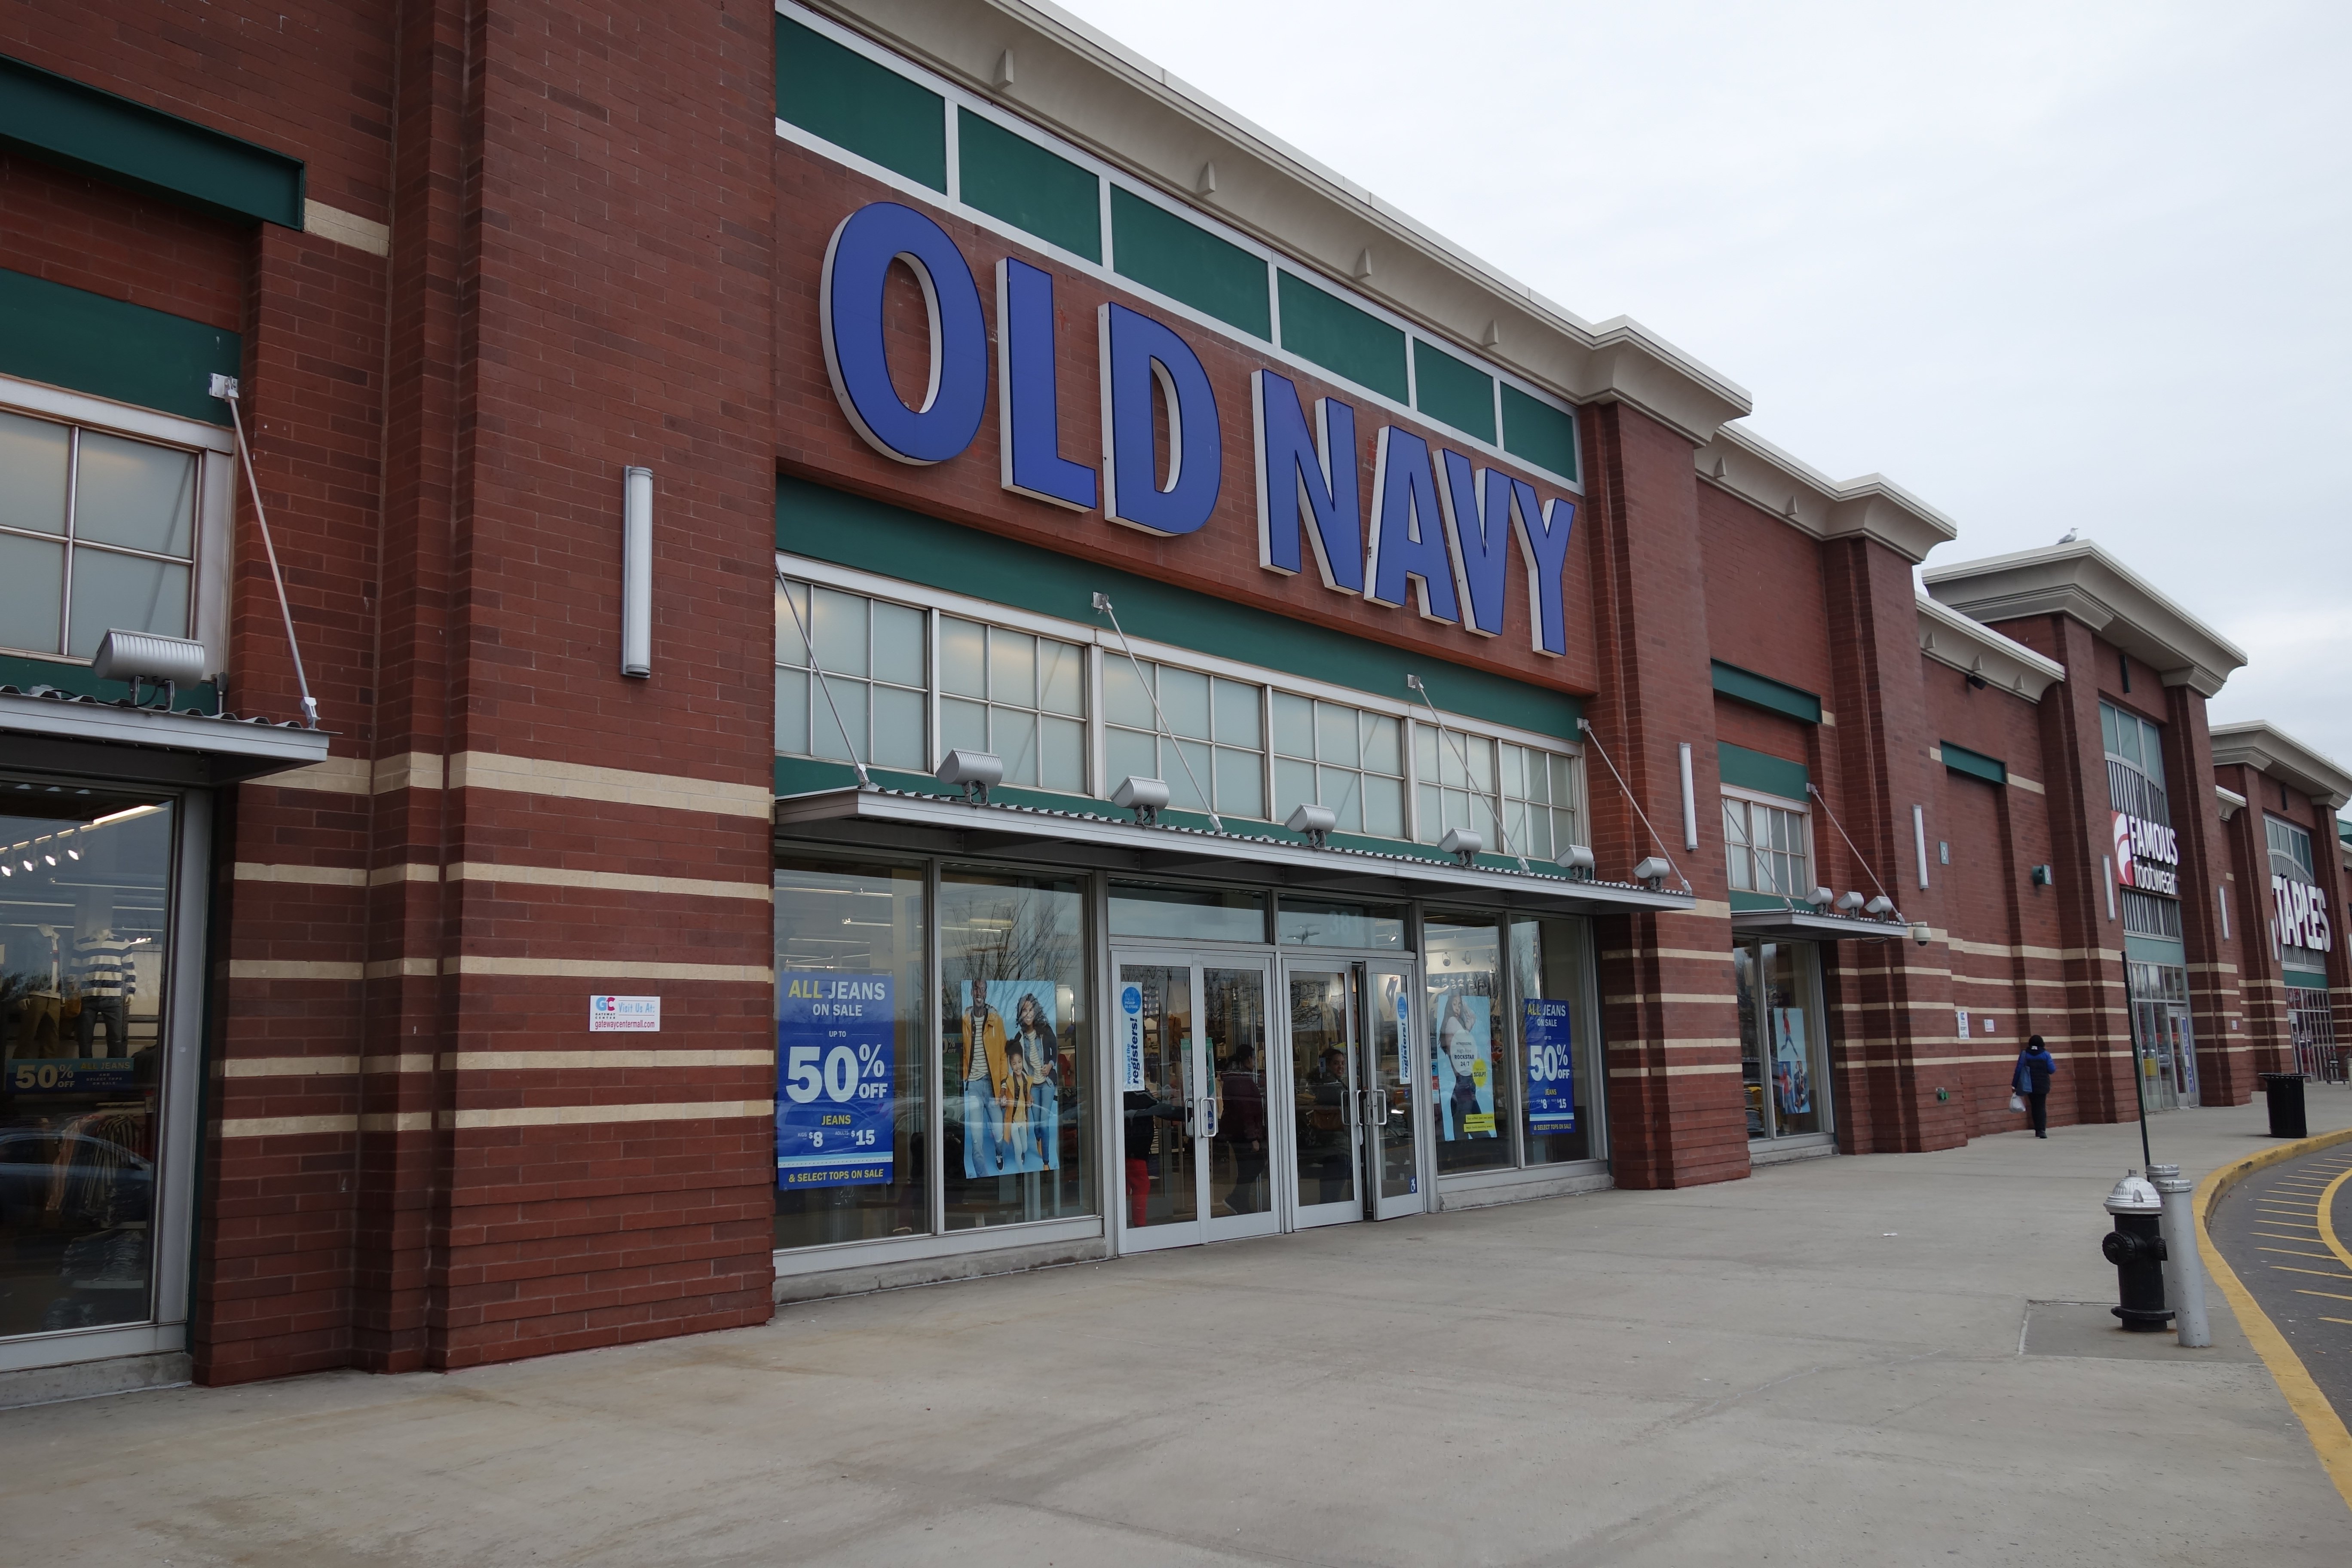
(1441, 532)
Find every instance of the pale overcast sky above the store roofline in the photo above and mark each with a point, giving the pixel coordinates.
(2050, 267)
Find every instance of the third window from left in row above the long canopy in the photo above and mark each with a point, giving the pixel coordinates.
(1217, 735)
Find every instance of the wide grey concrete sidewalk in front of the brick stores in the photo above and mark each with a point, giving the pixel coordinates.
(1819, 1365)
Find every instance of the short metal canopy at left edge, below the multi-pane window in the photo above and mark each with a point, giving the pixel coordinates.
(81, 735)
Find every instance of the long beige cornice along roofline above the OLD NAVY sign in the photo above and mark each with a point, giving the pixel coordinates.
(1132, 114)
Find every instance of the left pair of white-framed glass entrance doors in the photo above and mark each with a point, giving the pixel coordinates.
(1191, 1059)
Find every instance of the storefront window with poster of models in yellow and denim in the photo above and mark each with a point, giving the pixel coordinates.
(1015, 1057)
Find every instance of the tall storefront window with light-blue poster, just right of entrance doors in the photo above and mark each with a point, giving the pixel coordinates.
(1471, 1080)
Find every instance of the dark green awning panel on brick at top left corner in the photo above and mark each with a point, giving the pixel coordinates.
(131, 145)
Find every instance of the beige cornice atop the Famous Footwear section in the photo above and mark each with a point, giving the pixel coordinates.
(2080, 579)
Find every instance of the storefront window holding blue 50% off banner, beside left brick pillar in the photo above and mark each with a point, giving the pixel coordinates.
(853, 1120)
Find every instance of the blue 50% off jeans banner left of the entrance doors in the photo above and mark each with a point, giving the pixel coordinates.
(834, 1080)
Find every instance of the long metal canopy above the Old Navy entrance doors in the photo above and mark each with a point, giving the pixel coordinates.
(897, 819)
